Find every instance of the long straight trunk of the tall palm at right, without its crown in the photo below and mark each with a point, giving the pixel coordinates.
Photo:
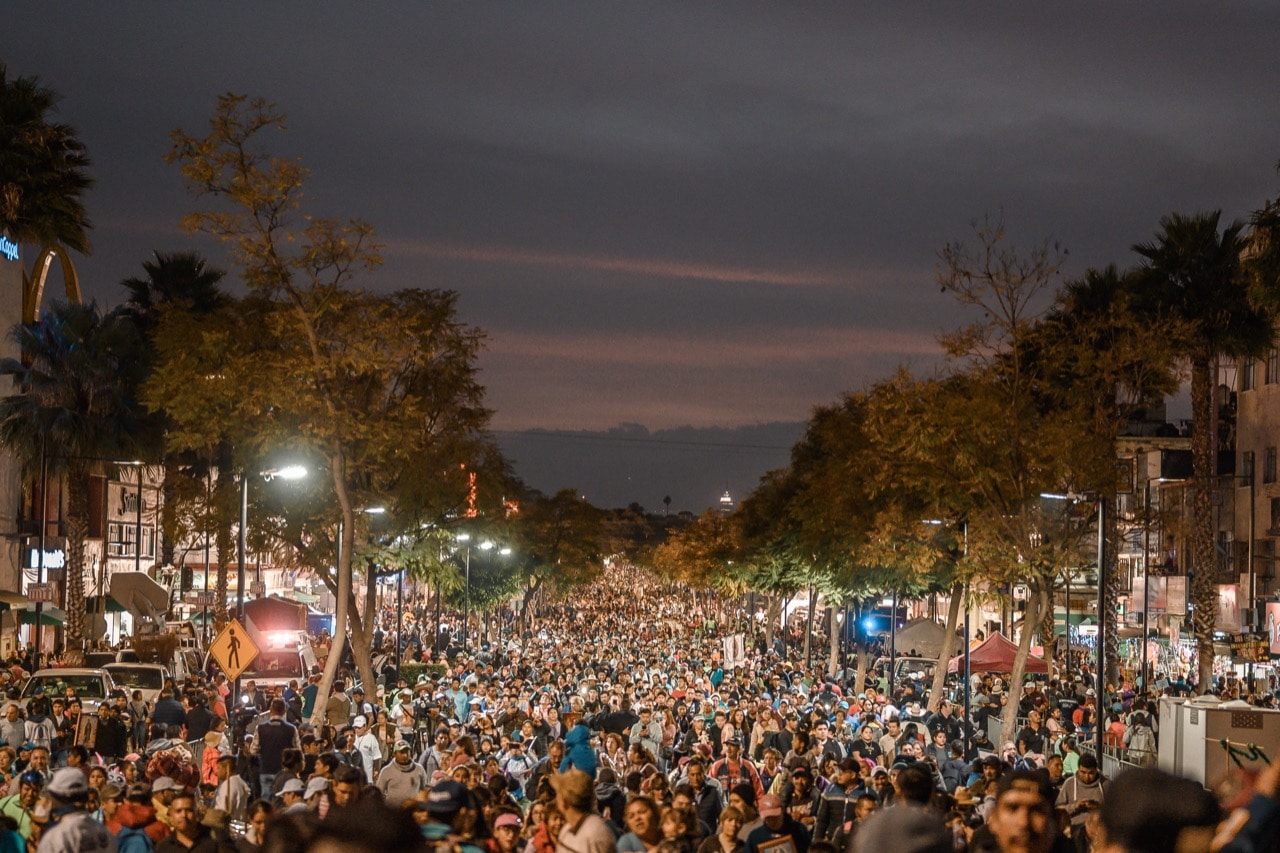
(1204, 587)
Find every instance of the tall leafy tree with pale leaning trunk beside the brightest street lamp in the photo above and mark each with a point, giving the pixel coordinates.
(372, 385)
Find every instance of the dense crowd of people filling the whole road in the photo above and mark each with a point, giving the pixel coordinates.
(611, 723)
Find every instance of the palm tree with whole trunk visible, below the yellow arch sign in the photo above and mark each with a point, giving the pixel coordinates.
(75, 400)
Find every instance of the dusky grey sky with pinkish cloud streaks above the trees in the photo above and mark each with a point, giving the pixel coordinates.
(682, 215)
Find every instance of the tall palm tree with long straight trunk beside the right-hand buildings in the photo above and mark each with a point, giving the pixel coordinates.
(1194, 272)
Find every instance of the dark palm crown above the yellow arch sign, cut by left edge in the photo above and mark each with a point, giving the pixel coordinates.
(43, 177)
